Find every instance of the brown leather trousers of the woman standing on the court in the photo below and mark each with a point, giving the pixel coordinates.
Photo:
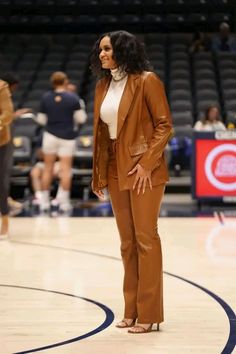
(136, 217)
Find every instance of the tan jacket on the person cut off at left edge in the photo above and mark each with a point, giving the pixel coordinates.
(6, 113)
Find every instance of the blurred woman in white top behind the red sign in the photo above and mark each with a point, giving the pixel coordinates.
(211, 121)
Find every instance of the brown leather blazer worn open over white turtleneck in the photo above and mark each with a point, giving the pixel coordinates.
(144, 128)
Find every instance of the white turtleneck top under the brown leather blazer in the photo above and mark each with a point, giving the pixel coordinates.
(111, 102)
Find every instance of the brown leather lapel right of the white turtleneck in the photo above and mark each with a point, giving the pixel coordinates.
(126, 100)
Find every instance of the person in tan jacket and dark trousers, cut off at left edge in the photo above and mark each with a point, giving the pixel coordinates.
(6, 117)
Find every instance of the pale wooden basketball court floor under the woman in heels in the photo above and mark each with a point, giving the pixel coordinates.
(61, 288)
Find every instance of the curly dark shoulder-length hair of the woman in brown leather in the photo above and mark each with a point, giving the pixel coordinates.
(128, 52)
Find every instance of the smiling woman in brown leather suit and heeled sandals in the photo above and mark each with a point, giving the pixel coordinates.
(132, 126)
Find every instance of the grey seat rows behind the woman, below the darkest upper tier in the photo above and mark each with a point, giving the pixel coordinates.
(192, 81)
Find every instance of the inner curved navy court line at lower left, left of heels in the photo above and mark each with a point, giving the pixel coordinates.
(109, 318)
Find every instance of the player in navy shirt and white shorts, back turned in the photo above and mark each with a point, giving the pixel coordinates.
(59, 111)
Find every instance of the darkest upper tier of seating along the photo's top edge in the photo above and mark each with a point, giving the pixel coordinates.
(100, 15)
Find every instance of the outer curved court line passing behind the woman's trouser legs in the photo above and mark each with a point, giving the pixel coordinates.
(231, 342)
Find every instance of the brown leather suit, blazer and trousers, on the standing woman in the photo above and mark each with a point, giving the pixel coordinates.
(144, 128)
